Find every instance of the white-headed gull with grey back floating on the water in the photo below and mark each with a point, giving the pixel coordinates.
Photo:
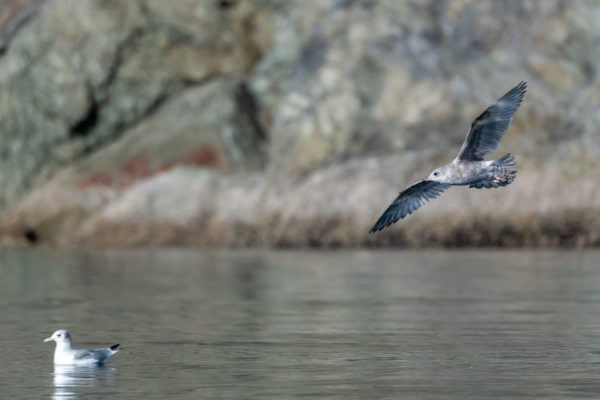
(64, 354)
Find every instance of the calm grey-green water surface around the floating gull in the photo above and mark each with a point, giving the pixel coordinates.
(275, 325)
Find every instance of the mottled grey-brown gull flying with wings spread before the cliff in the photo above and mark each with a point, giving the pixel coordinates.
(469, 167)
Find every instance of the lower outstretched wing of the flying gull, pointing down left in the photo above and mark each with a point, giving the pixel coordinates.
(408, 201)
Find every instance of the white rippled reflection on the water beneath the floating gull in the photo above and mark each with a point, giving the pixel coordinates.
(67, 378)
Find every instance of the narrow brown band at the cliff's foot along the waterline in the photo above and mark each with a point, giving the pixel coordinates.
(569, 228)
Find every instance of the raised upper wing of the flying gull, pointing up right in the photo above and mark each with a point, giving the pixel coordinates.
(487, 129)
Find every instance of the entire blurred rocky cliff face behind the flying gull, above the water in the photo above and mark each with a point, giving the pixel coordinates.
(291, 122)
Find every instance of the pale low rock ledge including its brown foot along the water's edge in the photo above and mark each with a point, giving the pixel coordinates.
(331, 208)
